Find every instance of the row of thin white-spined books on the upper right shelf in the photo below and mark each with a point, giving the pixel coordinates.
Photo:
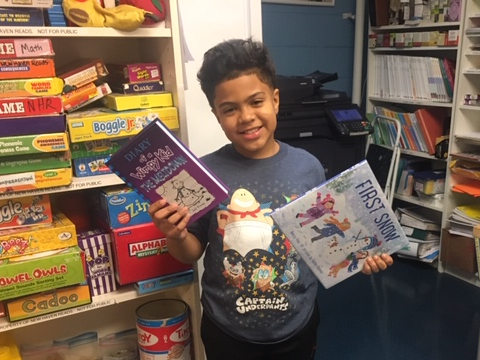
(413, 78)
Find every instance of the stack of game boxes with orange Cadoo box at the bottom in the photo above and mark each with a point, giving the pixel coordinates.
(40, 259)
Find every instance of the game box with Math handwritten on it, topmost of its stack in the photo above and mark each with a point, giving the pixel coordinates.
(25, 48)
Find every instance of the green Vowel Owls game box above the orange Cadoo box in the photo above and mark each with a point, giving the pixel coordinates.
(30, 274)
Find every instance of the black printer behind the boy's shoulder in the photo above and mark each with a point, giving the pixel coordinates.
(306, 119)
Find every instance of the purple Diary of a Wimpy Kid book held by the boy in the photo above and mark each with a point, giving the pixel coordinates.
(158, 165)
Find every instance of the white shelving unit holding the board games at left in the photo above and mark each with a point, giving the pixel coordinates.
(150, 44)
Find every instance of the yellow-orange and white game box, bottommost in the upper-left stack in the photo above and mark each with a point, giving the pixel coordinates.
(35, 180)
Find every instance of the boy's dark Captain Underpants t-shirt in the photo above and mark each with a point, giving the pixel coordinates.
(255, 287)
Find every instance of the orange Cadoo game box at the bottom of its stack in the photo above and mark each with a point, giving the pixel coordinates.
(48, 302)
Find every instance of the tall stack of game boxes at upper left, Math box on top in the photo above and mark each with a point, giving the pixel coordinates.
(34, 149)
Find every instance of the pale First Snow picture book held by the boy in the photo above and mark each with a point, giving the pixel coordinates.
(338, 224)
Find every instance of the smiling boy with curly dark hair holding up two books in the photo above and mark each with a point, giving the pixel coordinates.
(258, 296)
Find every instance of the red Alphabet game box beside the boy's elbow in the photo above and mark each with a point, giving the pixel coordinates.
(143, 248)
